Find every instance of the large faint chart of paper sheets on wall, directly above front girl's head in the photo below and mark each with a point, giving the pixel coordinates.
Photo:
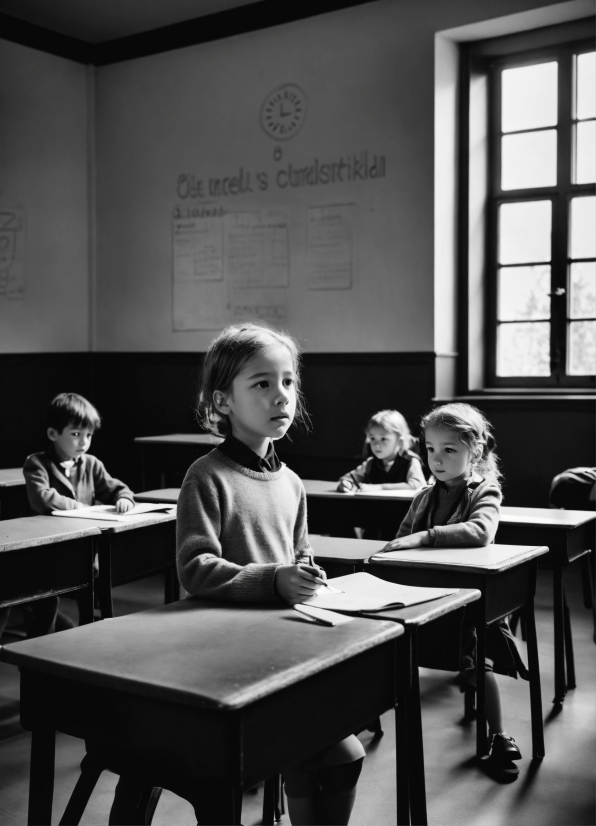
(229, 267)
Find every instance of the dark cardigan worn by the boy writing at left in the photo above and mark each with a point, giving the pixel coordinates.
(48, 488)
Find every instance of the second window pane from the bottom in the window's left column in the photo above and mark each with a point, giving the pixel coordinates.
(524, 293)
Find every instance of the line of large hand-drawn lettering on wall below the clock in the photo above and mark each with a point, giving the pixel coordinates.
(360, 166)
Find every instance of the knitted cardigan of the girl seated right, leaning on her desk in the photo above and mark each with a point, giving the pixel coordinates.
(473, 524)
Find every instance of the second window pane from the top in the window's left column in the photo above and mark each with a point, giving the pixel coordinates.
(529, 159)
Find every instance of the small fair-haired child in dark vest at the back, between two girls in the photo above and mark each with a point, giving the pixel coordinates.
(392, 466)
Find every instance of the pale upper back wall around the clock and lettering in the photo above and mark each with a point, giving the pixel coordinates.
(369, 76)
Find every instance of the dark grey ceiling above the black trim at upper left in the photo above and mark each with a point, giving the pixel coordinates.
(99, 21)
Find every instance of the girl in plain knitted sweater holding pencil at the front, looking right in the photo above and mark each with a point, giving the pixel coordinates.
(242, 534)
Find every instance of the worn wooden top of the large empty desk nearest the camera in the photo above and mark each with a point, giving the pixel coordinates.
(205, 654)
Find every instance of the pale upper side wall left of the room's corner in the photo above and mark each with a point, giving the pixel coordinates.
(44, 172)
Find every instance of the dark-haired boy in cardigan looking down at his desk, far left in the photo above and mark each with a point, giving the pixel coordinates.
(64, 477)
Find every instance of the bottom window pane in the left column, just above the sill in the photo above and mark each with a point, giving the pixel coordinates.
(523, 349)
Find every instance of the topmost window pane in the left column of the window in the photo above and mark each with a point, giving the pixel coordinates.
(529, 97)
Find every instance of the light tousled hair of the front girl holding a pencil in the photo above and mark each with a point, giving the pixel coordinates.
(225, 358)
